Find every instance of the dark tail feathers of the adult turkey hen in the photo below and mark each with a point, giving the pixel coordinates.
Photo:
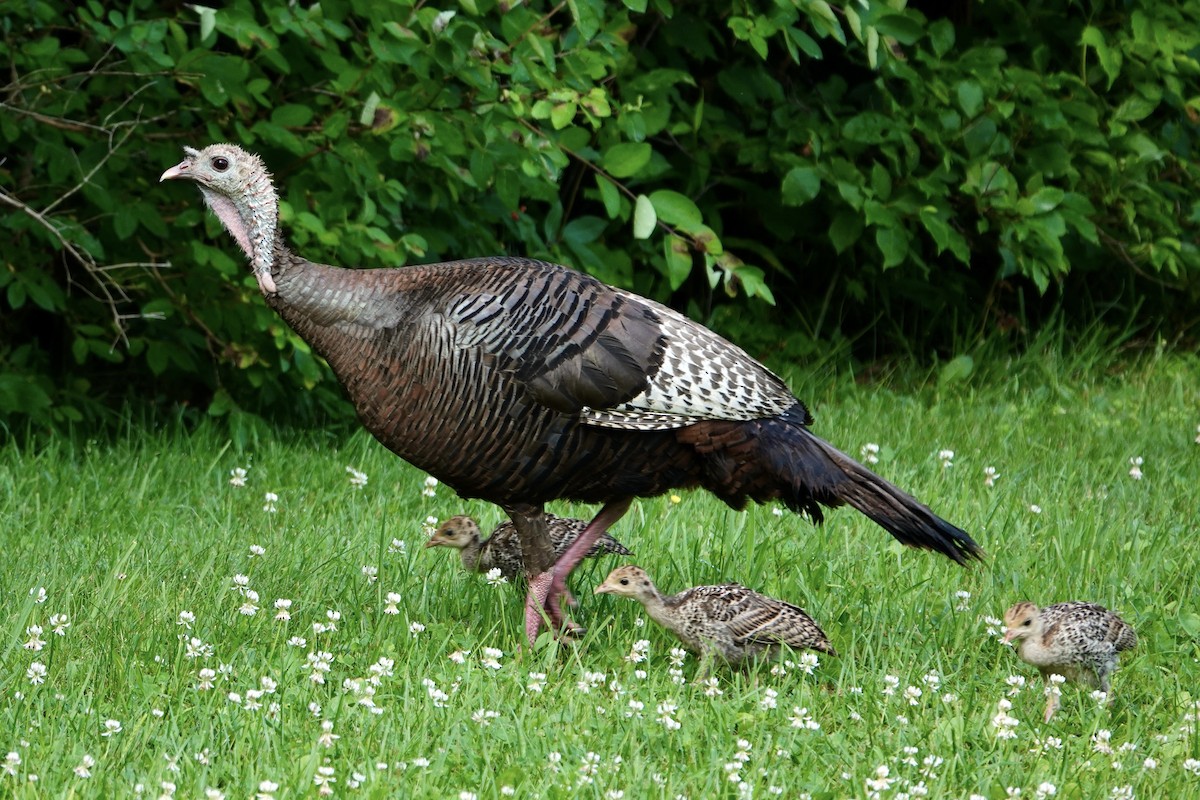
(820, 473)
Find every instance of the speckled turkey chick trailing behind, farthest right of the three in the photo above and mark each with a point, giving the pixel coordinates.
(1075, 640)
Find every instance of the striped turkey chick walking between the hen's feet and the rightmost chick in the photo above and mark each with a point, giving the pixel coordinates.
(727, 622)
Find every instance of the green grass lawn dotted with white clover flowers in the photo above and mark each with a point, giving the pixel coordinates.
(124, 537)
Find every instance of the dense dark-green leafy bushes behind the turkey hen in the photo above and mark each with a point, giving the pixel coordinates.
(796, 175)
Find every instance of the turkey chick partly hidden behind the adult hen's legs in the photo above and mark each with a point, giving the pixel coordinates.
(502, 550)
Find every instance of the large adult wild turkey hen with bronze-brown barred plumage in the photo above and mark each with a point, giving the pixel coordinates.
(520, 382)
